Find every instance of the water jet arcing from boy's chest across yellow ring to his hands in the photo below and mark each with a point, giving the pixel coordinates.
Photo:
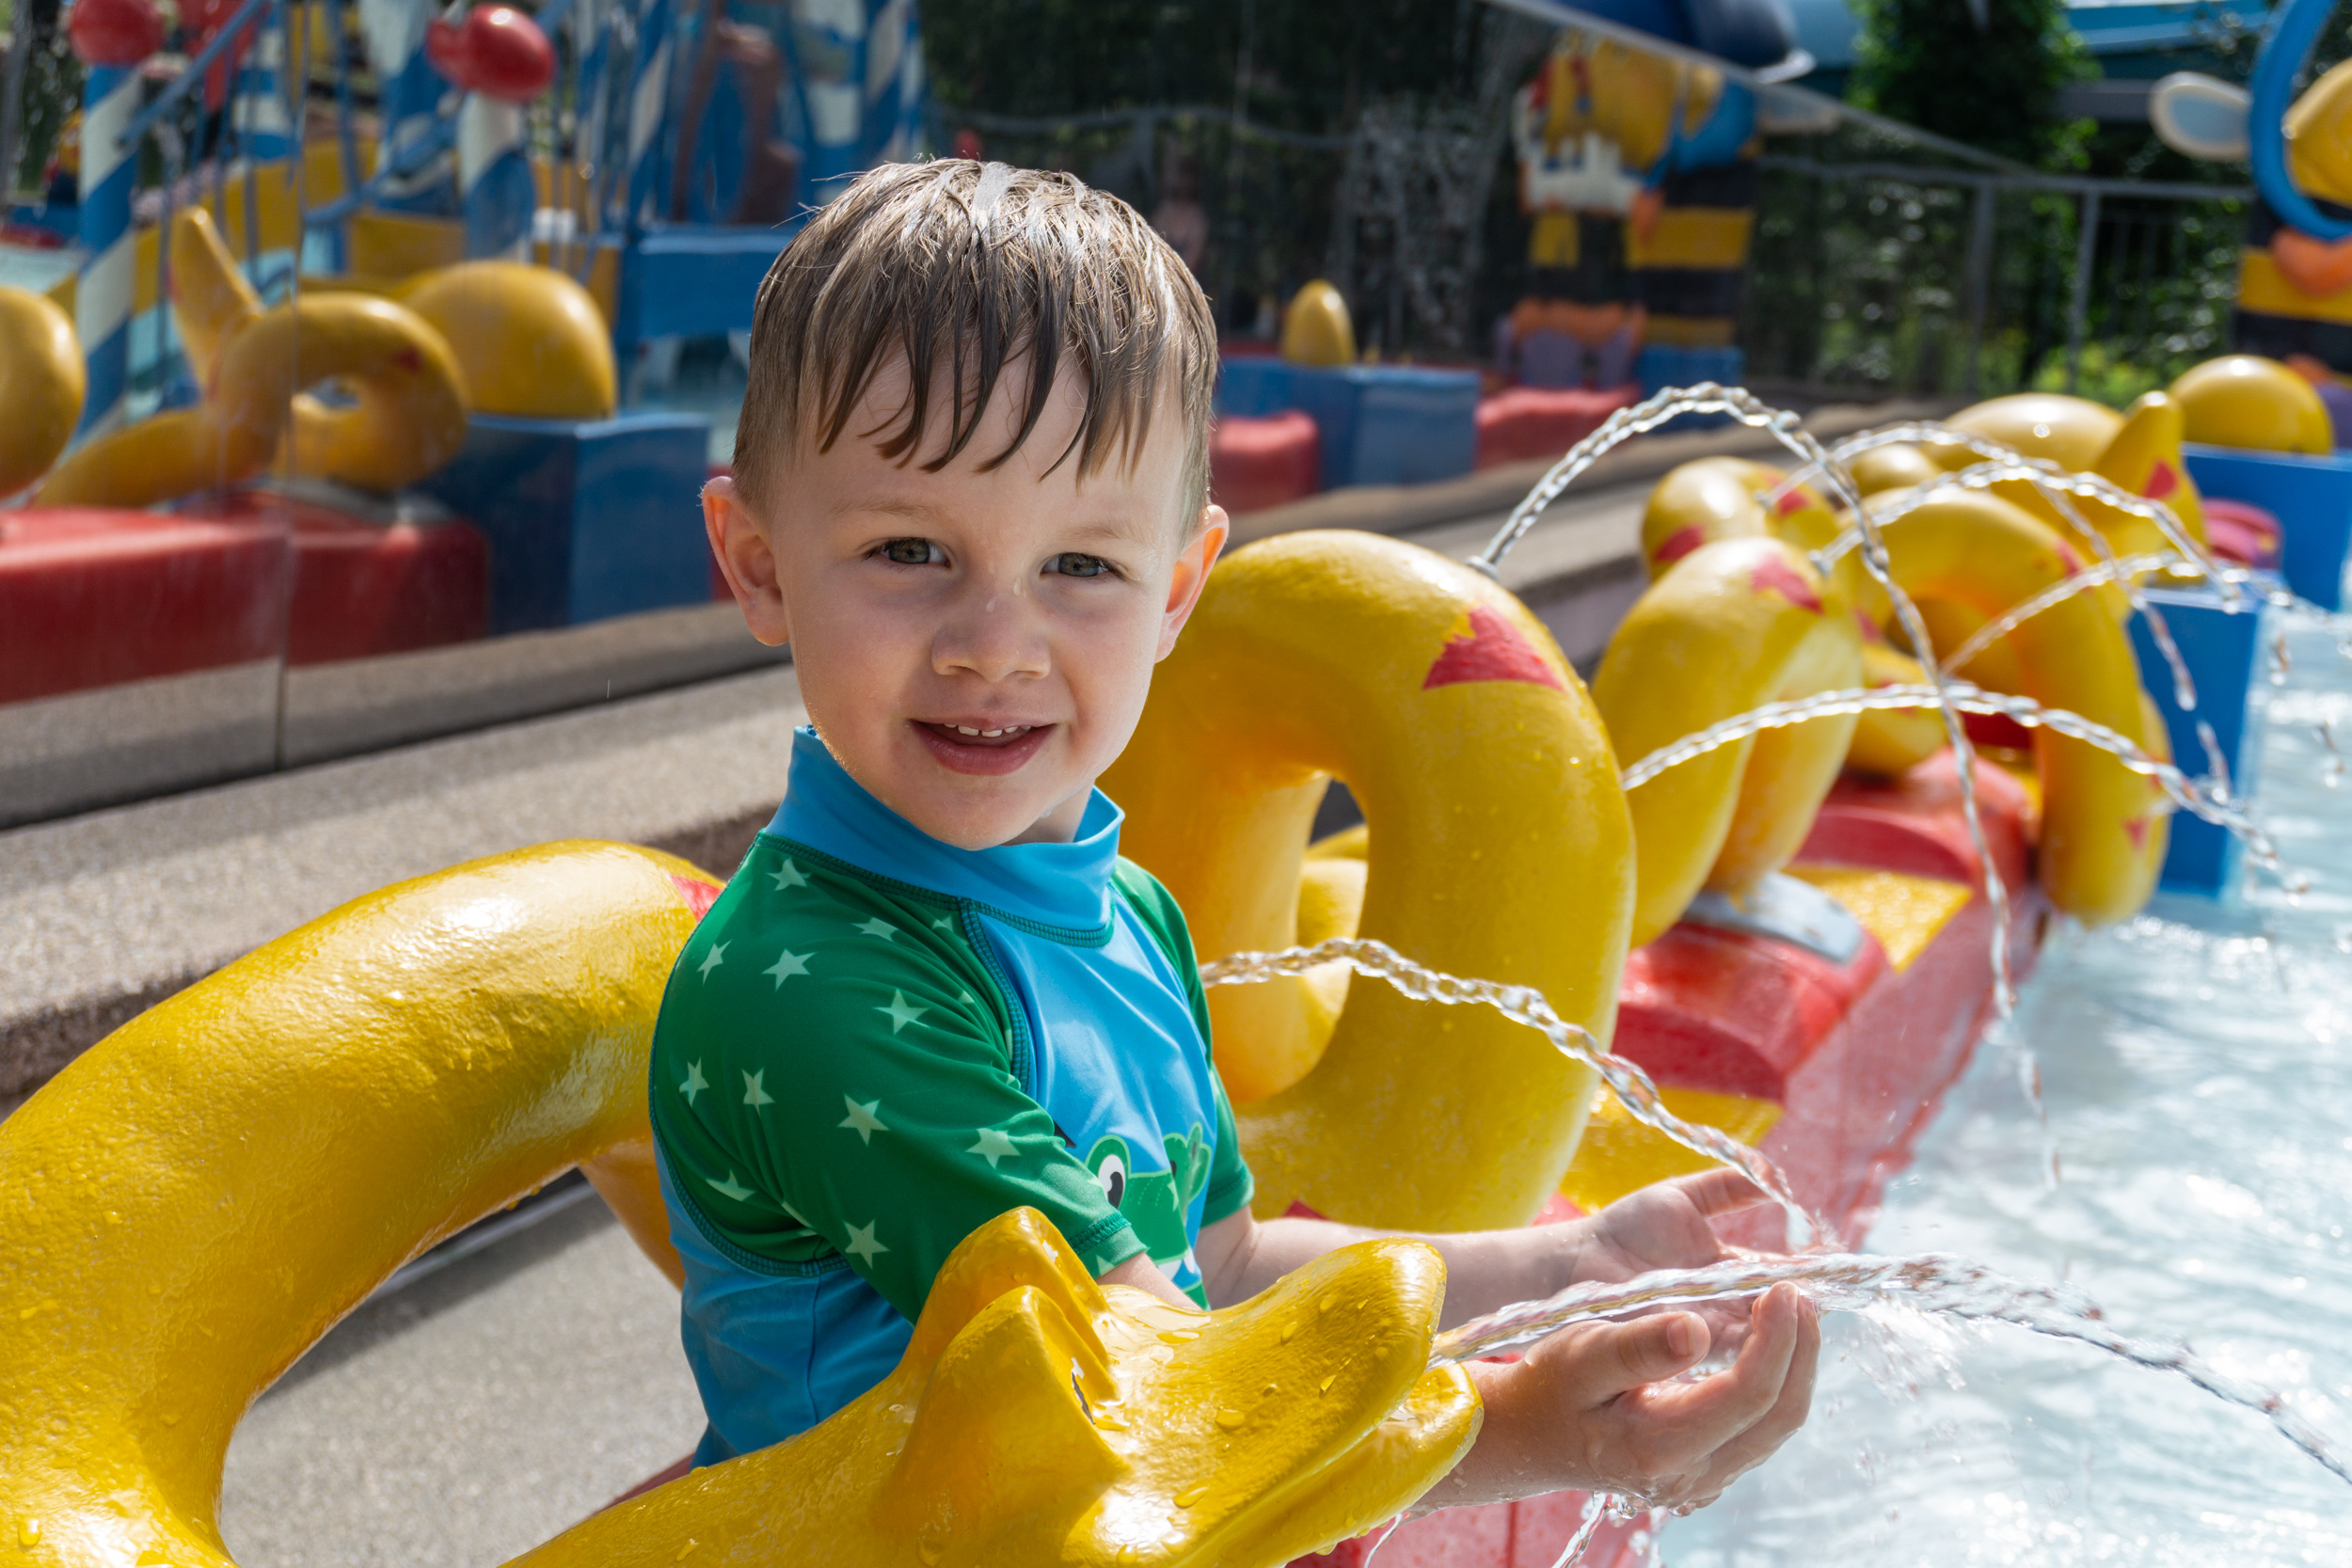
(1528, 1007)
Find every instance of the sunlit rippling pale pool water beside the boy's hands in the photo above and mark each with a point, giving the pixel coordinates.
(2198, 1076)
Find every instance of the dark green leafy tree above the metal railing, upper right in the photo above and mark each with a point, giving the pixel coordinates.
(1996, 88)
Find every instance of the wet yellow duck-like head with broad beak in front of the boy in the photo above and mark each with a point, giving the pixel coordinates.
(1041, 1419)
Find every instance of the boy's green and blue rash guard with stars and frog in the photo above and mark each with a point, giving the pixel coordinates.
(878, 1043)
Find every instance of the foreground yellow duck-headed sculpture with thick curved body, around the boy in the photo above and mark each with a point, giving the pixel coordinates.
(201, 1195)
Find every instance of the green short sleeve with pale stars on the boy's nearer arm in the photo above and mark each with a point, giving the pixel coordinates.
(838, 1087)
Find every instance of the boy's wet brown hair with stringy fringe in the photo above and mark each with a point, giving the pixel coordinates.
(975, 267)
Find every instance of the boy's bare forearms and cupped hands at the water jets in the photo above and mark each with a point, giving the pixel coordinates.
(1589, 1407)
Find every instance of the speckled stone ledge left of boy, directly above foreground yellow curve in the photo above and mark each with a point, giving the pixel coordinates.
(114, 911)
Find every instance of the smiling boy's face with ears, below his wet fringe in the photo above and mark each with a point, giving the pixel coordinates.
(975, 648)
